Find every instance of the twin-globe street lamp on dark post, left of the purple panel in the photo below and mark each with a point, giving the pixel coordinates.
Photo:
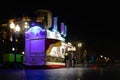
(15, 28)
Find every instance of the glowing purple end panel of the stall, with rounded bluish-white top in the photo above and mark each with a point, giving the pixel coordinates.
(35, 46)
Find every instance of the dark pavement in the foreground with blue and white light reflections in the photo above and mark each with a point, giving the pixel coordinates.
(107, 73)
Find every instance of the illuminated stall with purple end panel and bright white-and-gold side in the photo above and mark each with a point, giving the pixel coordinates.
(43, 47)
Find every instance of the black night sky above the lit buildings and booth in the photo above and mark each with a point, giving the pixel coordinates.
(95, 23)
